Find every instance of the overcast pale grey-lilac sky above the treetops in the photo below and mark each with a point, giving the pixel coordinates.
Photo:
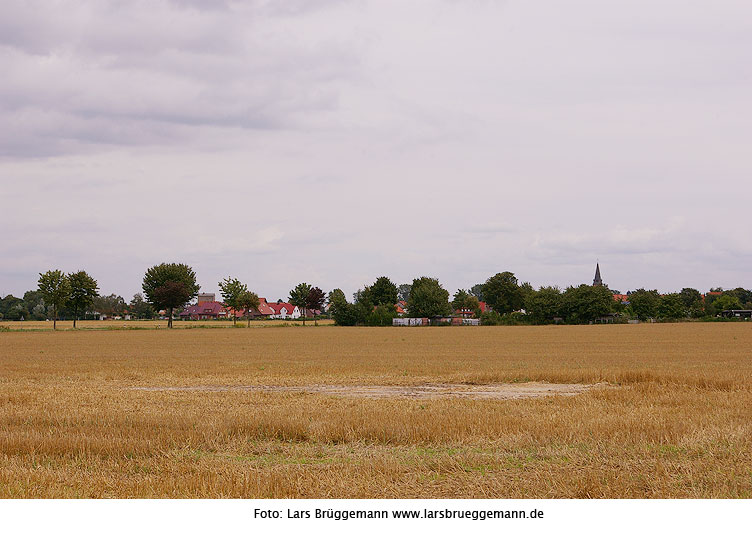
(335, 141)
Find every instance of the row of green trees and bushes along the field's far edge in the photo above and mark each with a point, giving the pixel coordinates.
(171, 286)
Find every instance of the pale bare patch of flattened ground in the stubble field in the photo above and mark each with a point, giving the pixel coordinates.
(428, 391)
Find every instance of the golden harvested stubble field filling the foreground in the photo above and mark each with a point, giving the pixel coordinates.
(187, 413)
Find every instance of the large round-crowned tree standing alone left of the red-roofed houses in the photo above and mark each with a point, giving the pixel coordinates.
(169, 286)
